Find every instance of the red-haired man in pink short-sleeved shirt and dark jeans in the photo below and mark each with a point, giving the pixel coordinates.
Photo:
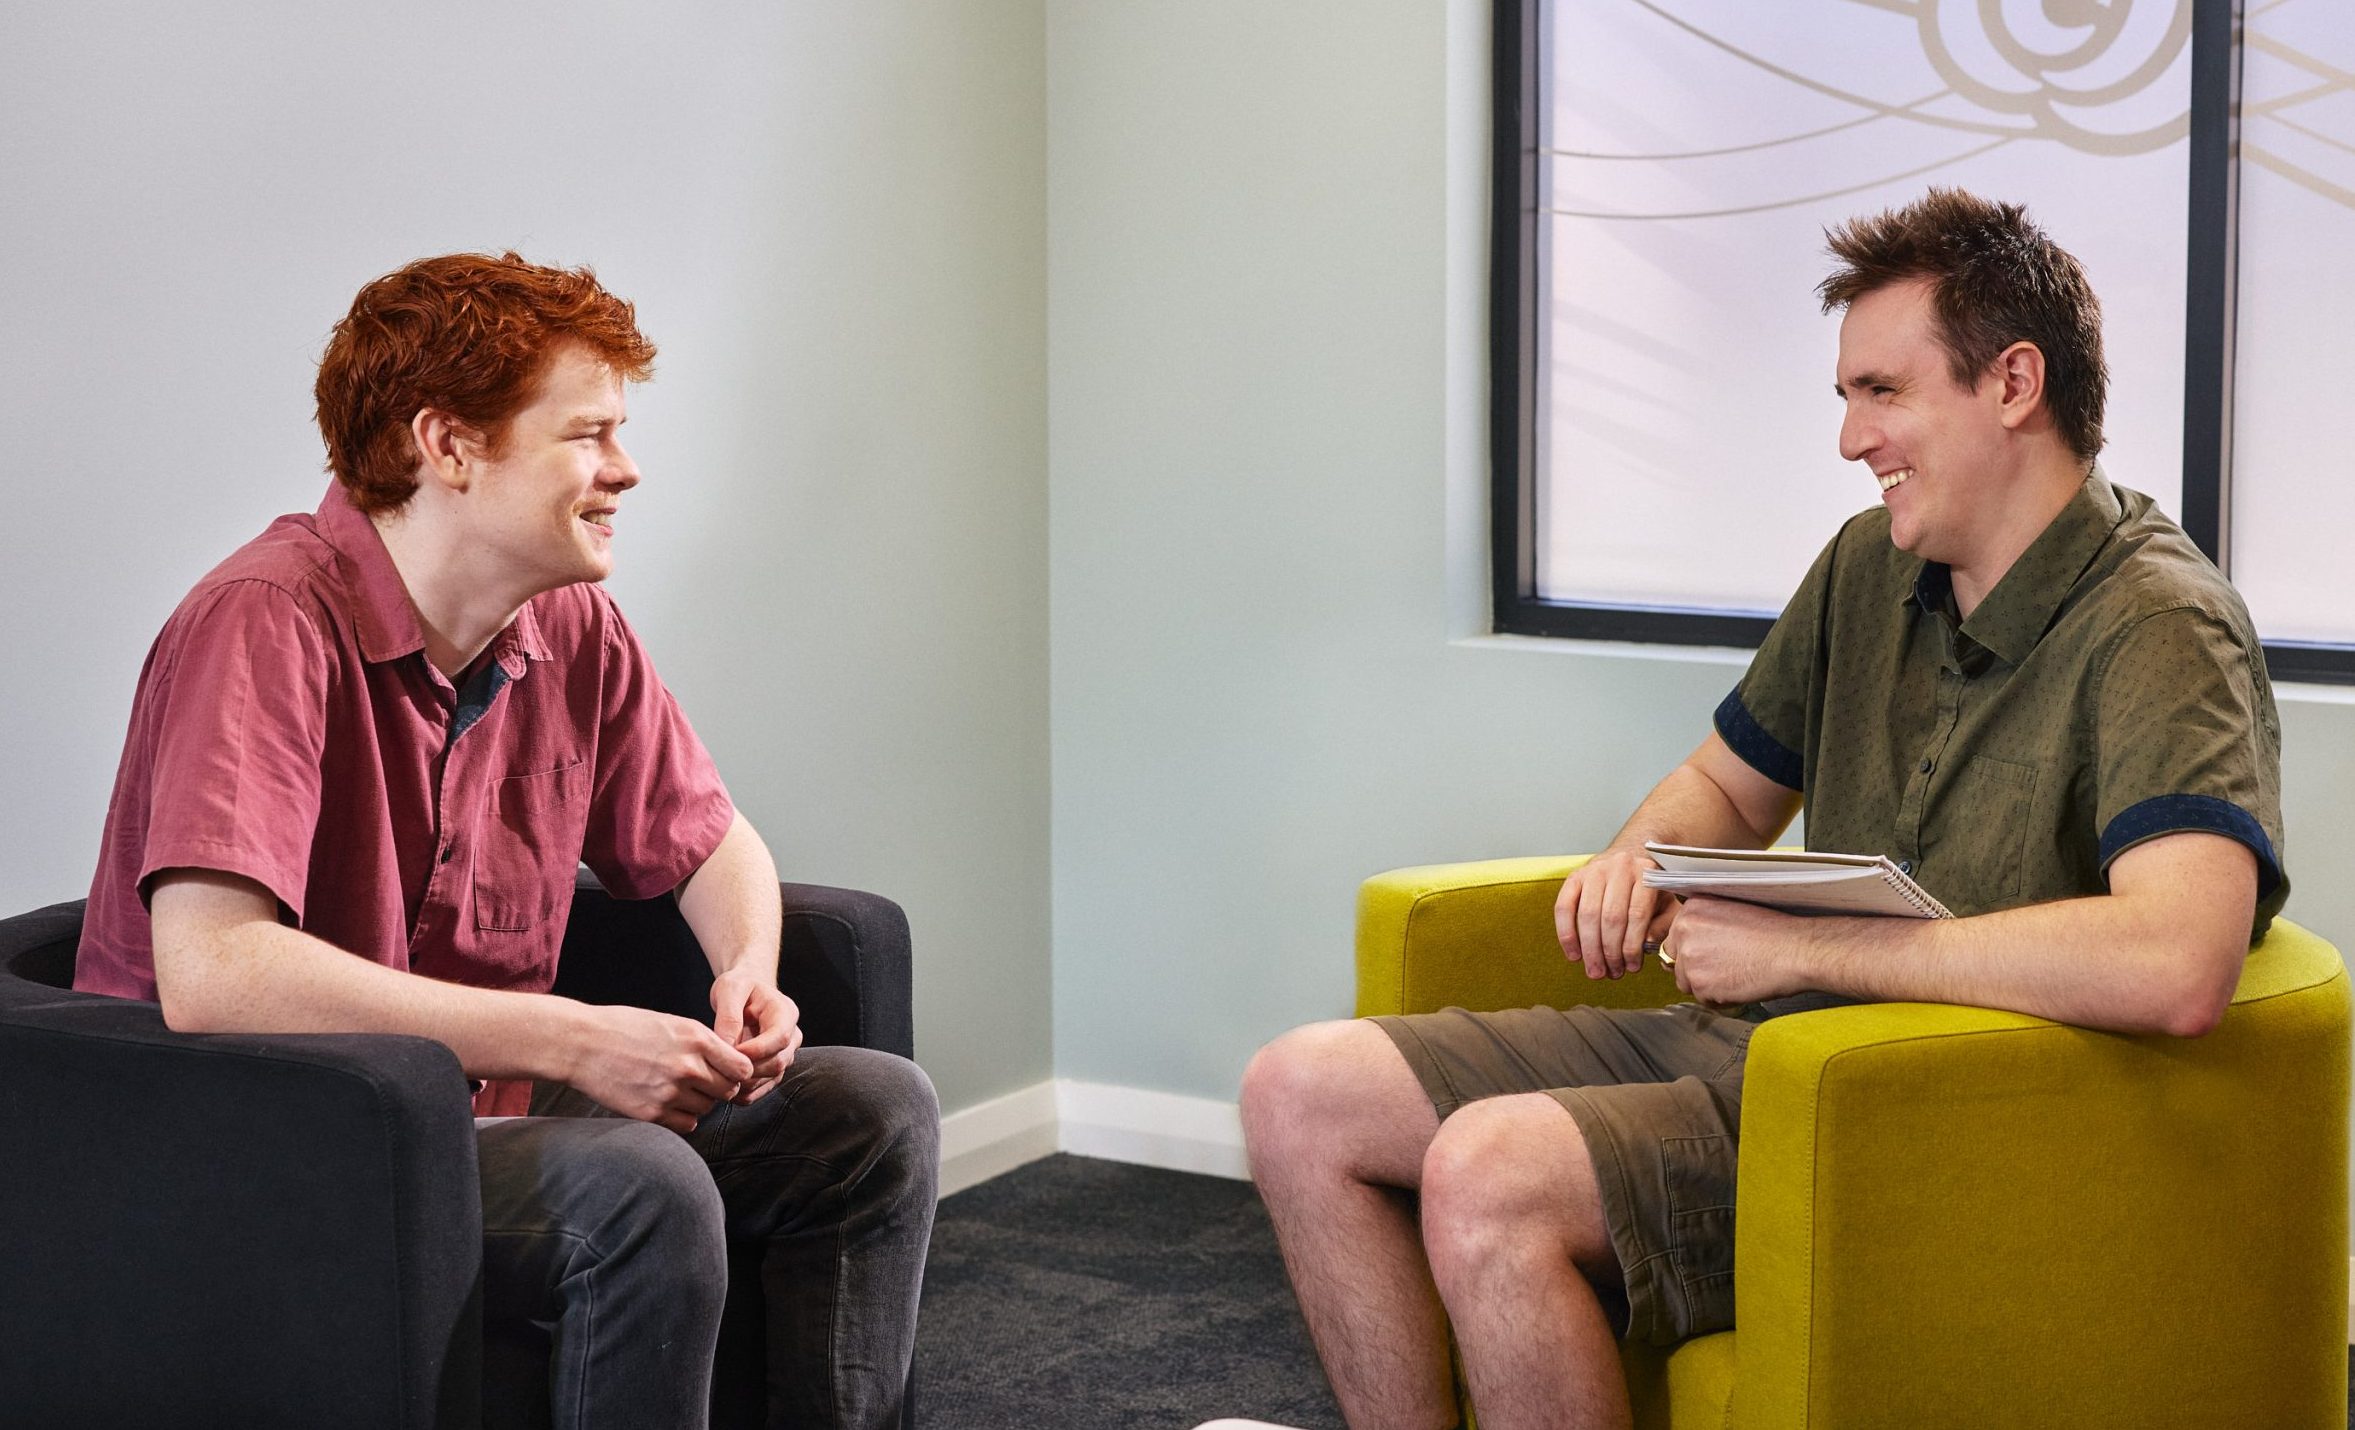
(366, 760)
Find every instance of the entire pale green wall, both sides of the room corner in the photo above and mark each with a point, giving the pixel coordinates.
(1190, 289)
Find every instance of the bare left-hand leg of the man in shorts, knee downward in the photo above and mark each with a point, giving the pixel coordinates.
(1336, 1127)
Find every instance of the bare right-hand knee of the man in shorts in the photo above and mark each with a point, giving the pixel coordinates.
(1508, 1181)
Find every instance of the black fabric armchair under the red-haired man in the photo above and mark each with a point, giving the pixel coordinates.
(286, 1231)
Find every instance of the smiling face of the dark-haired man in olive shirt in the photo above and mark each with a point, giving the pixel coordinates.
(1937, 449)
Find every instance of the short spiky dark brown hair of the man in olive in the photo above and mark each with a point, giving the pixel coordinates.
(1996, 279)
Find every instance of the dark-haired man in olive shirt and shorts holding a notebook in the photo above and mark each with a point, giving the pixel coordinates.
(2015, 677)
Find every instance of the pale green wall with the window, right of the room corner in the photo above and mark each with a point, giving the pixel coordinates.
(1261, 329)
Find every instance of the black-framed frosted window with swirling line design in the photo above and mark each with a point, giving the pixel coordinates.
(1664, 428)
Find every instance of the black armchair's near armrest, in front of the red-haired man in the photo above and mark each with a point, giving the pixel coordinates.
(171, 1193)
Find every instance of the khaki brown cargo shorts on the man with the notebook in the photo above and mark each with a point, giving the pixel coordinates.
(1659, 1097)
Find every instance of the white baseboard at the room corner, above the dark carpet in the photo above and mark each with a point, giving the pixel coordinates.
(1094, 1120)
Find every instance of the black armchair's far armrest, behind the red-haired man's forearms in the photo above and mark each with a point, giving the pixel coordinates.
(844, 958)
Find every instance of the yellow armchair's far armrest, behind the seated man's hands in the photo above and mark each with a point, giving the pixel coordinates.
(1480, 936)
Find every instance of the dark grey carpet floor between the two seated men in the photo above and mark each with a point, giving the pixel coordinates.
(1080, 1295)
